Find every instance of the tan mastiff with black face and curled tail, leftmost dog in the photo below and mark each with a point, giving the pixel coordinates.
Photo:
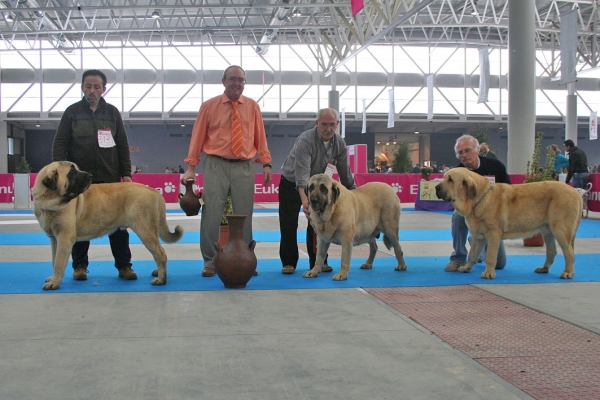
(69, 209)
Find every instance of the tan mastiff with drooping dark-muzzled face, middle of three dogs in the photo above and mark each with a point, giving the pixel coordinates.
(351, 217)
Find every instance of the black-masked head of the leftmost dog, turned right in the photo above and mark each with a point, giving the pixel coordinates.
(61, 181)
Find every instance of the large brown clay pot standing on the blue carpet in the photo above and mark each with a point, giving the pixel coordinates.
(235, 263)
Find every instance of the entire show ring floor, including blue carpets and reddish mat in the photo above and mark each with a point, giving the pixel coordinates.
(382, 334)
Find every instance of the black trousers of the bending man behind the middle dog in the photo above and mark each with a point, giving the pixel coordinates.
(289, 207)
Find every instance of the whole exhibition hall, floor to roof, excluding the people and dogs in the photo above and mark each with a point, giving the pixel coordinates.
(418, 72)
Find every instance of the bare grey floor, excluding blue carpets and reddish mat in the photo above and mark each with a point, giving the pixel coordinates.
(279, 344)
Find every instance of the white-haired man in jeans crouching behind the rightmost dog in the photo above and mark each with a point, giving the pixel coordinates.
(467, 151)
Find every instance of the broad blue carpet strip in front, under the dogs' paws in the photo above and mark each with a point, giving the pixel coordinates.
(27, 278)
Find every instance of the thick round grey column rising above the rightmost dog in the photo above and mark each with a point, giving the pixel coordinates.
(521, 85)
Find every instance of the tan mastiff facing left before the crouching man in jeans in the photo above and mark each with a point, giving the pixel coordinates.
(502, 211)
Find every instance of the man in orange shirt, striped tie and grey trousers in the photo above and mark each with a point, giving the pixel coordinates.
(230, 130)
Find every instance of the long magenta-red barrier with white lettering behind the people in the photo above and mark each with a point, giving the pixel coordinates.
(168, 185)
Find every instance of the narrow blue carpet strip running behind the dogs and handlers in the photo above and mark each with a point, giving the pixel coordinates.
(589, 229)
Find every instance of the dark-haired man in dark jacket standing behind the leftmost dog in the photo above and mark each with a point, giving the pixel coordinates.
(92, 135)
